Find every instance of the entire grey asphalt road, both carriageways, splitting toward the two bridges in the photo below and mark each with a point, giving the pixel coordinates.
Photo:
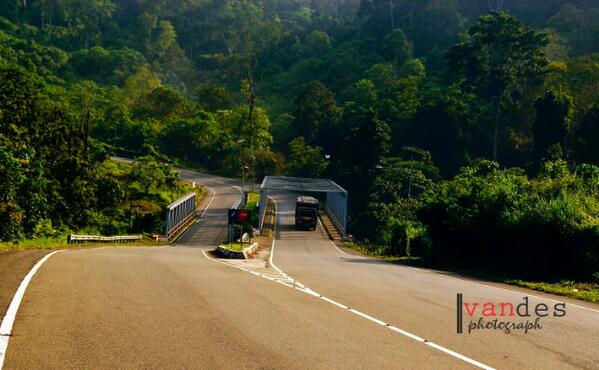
(172, 307)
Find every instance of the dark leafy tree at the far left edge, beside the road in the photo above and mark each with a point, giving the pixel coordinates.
(50, 150)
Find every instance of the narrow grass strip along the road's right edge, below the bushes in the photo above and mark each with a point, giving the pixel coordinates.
(588, 292)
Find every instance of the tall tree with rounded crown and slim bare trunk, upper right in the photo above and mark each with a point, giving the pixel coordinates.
(500, 59)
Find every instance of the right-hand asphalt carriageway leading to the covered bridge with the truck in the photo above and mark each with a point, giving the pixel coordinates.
(423, 302)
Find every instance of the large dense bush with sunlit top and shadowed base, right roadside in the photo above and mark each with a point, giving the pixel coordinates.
(547, 227)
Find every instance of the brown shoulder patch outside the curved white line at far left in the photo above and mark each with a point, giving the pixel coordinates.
(14, 265)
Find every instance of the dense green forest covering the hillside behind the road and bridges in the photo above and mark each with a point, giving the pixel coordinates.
(464, 134)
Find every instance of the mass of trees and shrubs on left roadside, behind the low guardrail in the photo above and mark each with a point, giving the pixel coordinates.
(55, 179)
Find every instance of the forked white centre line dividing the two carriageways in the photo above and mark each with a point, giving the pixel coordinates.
(311, 292)
